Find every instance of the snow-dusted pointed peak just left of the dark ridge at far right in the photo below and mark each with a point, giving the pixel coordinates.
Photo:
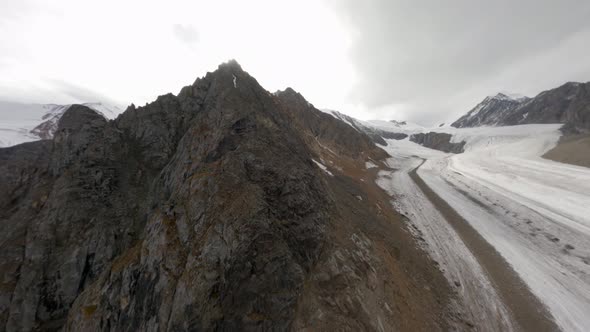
(491, 111)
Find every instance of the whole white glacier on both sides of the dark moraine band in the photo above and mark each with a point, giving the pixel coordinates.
(534, 212)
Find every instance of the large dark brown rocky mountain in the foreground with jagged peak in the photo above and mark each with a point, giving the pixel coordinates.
(222, 208)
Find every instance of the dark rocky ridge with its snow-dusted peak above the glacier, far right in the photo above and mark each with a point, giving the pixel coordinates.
(568, 104)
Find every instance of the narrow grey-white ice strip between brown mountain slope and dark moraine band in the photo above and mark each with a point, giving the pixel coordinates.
(444, 245)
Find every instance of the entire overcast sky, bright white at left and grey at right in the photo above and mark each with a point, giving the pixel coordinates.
(424, 61)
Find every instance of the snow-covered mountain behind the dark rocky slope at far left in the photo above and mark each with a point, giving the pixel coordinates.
(20, 123)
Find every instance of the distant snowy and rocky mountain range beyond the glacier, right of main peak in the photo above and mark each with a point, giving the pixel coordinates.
(568, 104)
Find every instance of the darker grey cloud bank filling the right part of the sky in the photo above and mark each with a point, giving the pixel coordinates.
(435, 56)
